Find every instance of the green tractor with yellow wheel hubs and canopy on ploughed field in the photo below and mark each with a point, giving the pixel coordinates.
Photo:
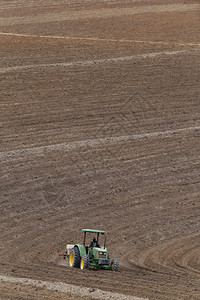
(85, 256)
